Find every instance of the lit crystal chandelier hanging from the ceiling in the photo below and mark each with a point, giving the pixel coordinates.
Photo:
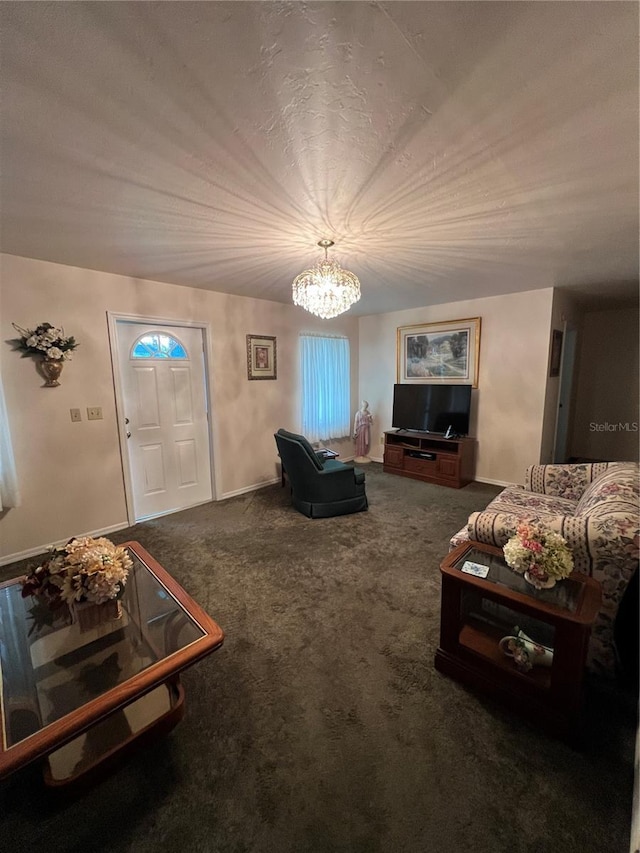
(326, 290)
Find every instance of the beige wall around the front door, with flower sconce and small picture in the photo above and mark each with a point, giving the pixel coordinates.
(70, 474)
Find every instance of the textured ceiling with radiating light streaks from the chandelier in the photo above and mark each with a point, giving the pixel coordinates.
(451, 150)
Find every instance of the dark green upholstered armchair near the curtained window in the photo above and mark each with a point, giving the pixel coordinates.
(320, 488)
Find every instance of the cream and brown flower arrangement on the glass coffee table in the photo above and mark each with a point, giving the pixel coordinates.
(84, 570)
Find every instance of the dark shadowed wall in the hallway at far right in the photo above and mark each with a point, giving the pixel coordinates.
(606, 403)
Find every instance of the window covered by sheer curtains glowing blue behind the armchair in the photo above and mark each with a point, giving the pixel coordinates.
(325, 367)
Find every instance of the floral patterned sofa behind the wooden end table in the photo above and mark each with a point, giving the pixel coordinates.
(596, 508)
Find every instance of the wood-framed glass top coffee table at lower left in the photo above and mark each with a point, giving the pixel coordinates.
(82, 697)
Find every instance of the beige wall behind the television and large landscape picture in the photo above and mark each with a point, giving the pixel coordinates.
(508, 405)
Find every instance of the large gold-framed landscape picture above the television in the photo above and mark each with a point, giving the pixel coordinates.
(445, 352)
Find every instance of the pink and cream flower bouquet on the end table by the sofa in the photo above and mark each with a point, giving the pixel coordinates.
(542, 556)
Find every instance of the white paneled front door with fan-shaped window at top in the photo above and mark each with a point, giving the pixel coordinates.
(162, 375)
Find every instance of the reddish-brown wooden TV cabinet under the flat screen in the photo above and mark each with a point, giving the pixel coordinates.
(434, 459)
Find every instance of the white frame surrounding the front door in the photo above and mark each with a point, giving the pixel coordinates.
(113, 317)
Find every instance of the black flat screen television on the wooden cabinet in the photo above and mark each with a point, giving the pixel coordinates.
(432, 408)
